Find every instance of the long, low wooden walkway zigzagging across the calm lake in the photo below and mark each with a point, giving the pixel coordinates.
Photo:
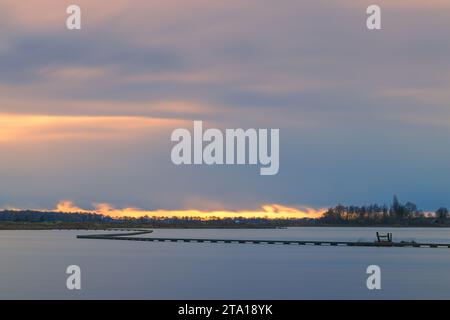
(130, 237)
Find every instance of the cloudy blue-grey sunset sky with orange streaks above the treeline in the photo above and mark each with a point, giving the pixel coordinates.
(86, 116)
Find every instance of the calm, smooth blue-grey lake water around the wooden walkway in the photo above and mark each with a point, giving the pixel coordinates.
(33, 265)
